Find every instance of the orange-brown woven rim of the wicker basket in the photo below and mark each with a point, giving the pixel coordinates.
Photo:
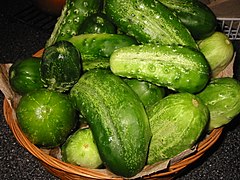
(50, 161)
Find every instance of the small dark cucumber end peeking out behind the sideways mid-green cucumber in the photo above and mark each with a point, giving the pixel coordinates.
(98, 23)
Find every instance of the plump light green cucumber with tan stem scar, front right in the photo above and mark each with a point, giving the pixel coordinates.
(176, 121)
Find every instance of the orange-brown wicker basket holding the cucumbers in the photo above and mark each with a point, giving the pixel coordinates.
(67, 171)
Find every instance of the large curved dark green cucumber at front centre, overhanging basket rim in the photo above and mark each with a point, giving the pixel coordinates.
(117, 118)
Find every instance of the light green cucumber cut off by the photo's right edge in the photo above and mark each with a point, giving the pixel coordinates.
(222, 97)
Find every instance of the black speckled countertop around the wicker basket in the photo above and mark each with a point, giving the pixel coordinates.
(21, 37)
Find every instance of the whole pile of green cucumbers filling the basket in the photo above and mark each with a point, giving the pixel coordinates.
(138, 75)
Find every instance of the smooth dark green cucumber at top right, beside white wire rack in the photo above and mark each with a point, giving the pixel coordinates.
(196, 16)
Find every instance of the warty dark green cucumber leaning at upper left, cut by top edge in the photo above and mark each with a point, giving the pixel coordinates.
(72, 17)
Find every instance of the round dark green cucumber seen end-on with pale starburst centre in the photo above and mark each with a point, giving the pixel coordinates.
(46, 117)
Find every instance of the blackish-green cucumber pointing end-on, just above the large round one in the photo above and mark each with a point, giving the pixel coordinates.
(61, 66)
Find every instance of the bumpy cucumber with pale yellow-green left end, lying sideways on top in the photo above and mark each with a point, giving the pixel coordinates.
(178, 68)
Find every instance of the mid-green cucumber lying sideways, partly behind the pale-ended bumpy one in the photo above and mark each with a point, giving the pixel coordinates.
(96, 48)
